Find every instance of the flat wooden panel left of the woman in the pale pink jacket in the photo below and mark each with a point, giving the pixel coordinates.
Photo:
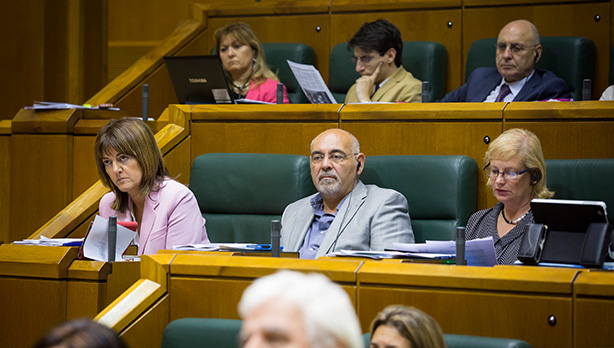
(40, 188)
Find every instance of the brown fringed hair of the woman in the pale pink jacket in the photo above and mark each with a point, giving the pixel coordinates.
(130, 136)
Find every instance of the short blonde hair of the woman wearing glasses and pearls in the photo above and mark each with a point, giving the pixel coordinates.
(523, 144)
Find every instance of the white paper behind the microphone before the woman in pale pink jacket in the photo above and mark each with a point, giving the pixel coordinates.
(96, 242)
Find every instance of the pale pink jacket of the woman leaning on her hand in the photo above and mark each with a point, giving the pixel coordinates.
(170, 217)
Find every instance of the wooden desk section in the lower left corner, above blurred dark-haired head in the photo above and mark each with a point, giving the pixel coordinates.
(41, 287)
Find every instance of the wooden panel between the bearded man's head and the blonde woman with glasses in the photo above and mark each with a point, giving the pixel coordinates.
(427, 129)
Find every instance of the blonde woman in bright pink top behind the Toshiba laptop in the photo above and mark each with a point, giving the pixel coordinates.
(245, 65)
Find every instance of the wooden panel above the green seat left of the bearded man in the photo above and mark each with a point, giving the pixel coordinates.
(285, 129)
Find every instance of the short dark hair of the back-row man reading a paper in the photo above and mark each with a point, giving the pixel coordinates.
(379, 36)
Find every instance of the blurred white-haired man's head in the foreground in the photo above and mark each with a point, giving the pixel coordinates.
(296, 310)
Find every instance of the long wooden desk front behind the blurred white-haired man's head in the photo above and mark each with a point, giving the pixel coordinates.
(500, 301)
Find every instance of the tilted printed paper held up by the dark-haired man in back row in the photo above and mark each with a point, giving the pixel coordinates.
(311, 83)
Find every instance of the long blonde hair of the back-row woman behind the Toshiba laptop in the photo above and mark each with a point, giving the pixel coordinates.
(244, 34)
